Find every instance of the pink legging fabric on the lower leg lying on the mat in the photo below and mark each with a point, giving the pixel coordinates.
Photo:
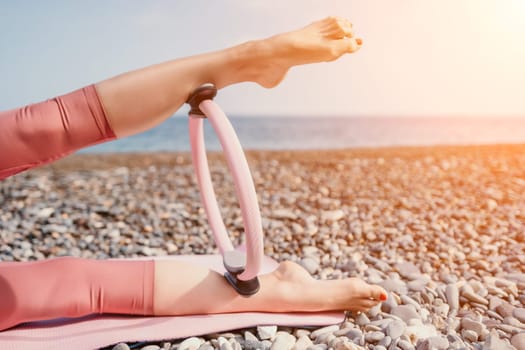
(74, 287)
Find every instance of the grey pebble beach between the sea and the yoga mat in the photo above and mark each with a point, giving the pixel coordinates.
(441, 228)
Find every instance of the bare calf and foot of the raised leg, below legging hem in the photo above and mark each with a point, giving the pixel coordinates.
(140, 99)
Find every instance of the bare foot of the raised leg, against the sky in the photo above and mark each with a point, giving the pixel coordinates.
(325, 40)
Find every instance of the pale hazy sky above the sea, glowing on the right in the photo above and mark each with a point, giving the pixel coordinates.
(420, 58)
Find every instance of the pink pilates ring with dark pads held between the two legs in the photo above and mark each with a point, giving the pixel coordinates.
(242, 268)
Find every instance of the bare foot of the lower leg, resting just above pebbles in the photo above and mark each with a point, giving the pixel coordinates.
(301, 292)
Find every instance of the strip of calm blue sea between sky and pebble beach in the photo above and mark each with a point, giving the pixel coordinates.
(287, 133)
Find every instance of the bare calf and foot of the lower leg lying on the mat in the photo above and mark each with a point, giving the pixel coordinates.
(196, 290)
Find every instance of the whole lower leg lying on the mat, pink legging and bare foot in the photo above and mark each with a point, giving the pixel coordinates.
(74, 287)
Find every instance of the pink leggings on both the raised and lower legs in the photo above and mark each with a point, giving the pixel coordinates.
(65, 287)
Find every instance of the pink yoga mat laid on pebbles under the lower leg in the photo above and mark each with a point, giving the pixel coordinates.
(98, 331)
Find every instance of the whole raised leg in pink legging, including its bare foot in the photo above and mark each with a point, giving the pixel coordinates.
(138, 100)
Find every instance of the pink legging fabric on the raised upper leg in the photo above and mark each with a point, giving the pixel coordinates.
(43, 132)
